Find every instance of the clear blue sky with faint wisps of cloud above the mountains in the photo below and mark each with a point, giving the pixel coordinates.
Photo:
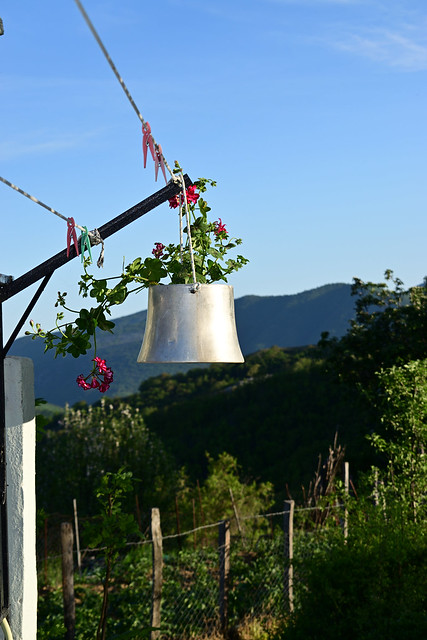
(310, 114)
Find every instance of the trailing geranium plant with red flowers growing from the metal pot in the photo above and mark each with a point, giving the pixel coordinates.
(205, 248)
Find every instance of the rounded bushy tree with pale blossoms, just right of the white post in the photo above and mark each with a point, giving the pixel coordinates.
(90, 442)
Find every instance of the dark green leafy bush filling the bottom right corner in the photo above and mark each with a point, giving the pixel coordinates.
(371, 588)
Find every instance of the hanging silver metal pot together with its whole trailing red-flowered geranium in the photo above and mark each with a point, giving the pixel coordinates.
(189, 320)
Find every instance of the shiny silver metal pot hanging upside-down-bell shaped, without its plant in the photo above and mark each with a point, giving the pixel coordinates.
(190, 323)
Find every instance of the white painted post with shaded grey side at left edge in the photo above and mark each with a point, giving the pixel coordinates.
(21, 496)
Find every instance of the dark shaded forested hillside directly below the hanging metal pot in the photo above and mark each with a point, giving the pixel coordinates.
(275, 414)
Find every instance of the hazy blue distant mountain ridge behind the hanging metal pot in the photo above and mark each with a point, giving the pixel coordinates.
(262, 321)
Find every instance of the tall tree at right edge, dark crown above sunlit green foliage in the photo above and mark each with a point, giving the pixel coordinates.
(384, 354)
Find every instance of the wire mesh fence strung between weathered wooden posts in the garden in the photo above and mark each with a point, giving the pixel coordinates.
(209, 584)
